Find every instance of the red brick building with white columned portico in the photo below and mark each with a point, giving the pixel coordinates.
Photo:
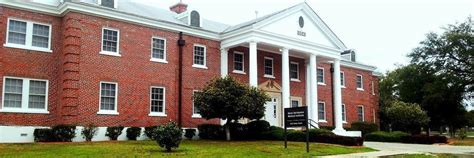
(117, 63)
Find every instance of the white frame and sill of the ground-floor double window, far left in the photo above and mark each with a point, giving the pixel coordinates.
(25, 97)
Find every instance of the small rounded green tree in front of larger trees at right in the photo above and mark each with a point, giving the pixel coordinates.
(407, 117)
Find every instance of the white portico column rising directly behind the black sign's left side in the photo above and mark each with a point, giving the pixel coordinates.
(285, 77)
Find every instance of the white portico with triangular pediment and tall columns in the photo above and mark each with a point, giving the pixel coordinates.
(294, 32)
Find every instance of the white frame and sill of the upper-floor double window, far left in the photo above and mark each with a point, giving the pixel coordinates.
(28, 36)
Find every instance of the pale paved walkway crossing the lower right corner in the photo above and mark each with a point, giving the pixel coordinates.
(386, 149)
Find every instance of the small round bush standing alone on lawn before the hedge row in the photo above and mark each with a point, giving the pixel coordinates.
(169, 136)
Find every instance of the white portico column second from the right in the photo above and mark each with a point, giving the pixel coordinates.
(313, 88)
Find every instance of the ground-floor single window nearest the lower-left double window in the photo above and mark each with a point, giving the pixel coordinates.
(108, 98)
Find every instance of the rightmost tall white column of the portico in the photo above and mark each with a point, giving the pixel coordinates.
(337, 97)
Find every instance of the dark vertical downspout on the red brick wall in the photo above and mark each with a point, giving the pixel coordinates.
(181, 43)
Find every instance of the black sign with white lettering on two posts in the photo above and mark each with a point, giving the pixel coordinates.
(297, 117)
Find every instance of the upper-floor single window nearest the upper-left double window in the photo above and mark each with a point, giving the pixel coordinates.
(110, 42)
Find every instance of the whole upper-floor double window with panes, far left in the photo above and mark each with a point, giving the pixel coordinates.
(30, 35)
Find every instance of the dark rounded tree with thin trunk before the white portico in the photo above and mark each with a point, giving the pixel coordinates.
(227, 99)
